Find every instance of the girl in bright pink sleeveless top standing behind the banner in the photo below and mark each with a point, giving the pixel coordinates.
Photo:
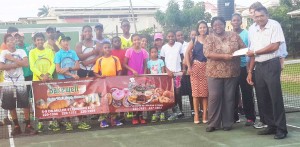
(136, 64)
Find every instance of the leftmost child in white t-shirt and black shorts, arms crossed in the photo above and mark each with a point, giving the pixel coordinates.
(11, 61)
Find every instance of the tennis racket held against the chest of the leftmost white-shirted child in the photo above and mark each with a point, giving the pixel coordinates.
(14, 74)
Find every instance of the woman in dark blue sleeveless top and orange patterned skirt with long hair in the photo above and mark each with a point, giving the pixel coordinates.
(196, 62)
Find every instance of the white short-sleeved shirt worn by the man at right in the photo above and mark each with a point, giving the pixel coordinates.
(260, 38)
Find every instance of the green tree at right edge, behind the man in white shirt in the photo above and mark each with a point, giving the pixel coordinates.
(279, 14)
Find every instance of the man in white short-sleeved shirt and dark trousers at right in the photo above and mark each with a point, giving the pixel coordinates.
(265, 38)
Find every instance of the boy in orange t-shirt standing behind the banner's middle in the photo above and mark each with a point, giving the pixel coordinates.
(108, 65)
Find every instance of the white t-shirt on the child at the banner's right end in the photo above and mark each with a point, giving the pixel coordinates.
(172, 56)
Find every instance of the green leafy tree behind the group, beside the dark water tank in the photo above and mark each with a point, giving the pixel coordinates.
(184, 19)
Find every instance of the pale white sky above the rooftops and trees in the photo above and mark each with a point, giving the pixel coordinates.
(11, 10)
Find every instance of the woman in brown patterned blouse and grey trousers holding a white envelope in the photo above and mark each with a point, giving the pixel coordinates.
(222, 70)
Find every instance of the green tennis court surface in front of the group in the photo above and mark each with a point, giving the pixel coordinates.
(181, 134)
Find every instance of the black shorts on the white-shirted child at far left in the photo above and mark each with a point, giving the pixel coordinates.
(8, 100)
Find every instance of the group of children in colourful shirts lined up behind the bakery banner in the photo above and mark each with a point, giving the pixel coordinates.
(100, 57)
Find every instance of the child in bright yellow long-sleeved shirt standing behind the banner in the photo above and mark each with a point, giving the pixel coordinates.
(42, 65)
